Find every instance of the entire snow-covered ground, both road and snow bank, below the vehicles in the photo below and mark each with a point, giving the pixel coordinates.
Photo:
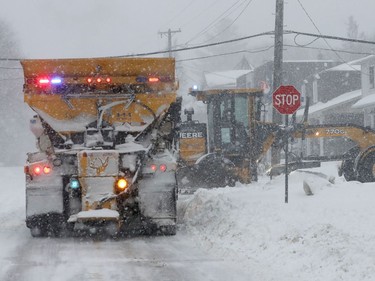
(245, 231)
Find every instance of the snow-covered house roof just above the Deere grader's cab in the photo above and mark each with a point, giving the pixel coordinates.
(223, 79)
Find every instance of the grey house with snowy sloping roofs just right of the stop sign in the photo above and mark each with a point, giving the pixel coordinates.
(332, 93)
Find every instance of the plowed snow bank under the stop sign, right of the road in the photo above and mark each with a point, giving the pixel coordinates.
(328, 236)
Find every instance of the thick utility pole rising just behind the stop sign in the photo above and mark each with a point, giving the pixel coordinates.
(277, 68)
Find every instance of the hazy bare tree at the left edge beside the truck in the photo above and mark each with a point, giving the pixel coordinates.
(16, 138)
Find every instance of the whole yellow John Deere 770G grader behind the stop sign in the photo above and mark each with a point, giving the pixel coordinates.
(237, 139)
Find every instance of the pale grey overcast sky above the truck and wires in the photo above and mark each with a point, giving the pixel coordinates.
(85, 28)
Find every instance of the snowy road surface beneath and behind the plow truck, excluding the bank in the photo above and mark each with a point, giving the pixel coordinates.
(142, 258)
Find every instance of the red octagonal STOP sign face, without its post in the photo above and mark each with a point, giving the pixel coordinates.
(286, 99)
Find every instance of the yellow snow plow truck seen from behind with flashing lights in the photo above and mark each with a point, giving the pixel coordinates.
(105, 131)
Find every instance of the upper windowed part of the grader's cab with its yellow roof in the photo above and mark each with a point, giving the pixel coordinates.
(230, 115)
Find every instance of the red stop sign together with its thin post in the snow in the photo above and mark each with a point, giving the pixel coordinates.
(286, 100)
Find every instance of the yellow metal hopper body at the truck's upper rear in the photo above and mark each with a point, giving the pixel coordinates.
(83, 104)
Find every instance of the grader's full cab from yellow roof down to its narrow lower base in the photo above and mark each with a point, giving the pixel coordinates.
(231, 128)
